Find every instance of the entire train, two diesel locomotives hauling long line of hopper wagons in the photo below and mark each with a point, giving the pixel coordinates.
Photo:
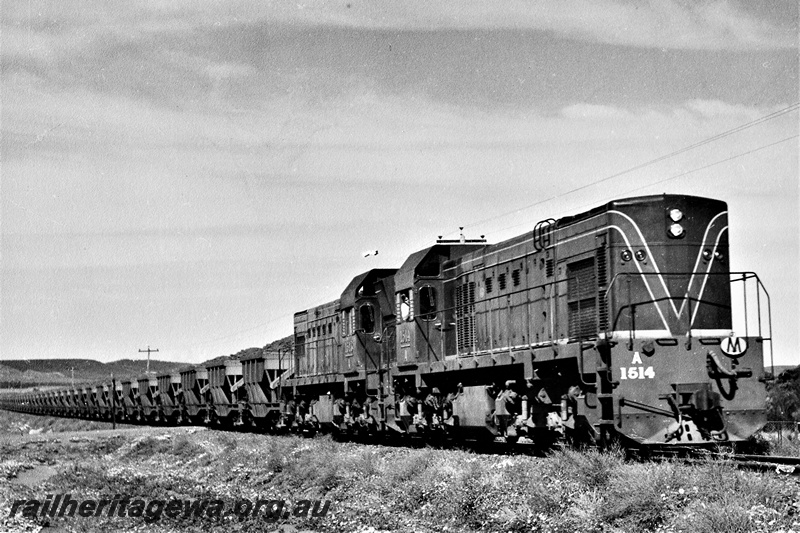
(620, 324)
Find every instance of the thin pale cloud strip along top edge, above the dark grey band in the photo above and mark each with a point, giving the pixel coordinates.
(706, 25)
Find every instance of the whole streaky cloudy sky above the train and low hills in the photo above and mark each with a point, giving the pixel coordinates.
(187, 174)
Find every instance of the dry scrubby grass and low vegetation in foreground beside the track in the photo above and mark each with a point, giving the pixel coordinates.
(374, 488)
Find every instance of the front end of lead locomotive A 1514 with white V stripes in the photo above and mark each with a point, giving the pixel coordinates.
(681, 359)
